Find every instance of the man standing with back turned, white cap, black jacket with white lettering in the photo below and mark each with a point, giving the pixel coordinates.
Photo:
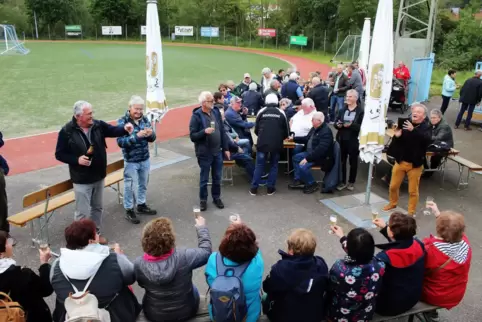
(271, 129)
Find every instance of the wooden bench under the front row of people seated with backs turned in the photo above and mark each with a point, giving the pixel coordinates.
(416, 311)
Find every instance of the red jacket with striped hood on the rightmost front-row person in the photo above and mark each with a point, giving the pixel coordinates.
(445, 287)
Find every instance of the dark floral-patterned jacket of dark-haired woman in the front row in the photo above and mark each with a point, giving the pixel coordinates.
(353, 290)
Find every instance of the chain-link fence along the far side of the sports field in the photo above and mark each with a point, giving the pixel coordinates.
(319, 41)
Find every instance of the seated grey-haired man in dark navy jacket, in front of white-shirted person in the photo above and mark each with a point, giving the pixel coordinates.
(318, 146)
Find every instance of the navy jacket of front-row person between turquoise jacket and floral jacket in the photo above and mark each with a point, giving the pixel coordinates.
(295, 289)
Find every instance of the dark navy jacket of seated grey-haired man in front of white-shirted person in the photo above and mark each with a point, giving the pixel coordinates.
(322, 143)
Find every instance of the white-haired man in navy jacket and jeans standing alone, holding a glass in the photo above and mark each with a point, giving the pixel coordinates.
(206, 131)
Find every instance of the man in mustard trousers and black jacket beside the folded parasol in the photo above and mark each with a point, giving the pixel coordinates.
(409, 147)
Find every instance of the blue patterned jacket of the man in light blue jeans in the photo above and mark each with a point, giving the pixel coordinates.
(134, 148)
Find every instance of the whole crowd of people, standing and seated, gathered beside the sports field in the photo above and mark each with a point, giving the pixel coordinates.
(286, 109)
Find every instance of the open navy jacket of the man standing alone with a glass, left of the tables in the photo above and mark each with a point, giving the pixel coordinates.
(198, 136)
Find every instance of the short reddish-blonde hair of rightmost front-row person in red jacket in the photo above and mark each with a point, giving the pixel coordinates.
(450, 226)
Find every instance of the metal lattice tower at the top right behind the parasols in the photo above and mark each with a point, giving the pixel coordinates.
(427, 27)
